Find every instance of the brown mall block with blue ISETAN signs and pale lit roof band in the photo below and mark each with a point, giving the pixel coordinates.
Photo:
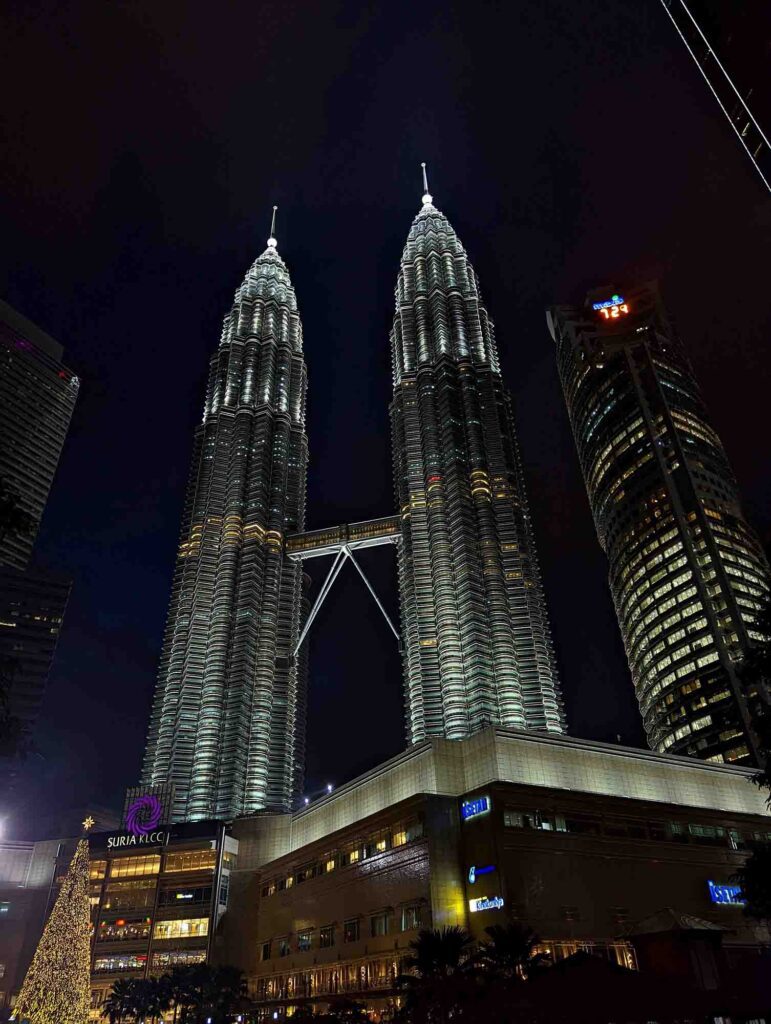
(621, 852)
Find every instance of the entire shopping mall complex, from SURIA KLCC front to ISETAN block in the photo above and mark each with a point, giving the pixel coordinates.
(625, 854)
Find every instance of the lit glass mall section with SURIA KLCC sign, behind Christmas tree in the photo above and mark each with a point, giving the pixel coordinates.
(156, 902)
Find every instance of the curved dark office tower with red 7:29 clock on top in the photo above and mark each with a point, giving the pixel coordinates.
(688, 574)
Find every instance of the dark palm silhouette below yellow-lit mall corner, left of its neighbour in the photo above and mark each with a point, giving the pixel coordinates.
(442, 976)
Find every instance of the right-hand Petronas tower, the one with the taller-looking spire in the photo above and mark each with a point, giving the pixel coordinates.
(478, 648)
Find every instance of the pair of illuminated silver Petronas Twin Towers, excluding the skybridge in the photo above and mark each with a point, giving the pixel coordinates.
(229, 721)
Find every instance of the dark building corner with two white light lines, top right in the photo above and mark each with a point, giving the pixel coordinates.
(730, 45)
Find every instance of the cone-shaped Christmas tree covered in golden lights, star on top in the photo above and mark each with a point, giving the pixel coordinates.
(57, 990)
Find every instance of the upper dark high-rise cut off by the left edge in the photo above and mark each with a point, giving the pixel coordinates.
(37, 399)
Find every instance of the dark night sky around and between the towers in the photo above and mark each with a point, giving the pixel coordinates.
(571, 144)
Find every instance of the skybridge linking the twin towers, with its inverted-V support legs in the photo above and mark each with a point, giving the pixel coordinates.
(341, 542)
